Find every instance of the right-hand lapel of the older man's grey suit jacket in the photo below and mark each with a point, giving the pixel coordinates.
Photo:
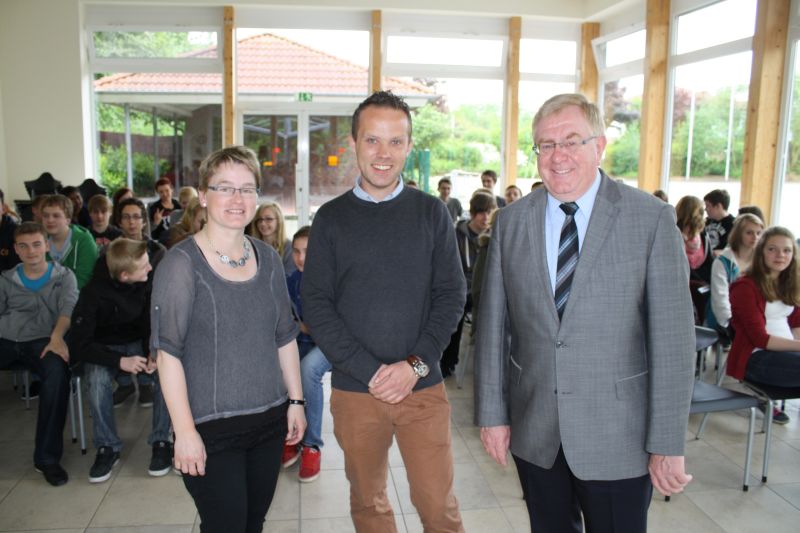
(604, 212)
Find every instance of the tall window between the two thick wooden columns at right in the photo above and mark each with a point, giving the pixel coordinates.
(711, 77)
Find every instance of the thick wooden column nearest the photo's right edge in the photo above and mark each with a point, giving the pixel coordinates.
(764, 104)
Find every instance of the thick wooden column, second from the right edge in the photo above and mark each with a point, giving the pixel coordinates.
(654, 97)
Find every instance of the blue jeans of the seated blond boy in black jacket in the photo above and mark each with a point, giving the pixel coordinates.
(99, 380)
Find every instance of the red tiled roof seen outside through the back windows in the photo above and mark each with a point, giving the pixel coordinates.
(268, 64)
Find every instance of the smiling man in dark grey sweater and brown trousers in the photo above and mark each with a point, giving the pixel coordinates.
(383, 291)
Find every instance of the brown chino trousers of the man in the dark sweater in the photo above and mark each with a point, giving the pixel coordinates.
(364, 428)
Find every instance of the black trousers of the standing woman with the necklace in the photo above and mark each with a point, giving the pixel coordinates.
(236, 492)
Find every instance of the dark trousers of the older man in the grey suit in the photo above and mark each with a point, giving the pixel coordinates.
(556, 499)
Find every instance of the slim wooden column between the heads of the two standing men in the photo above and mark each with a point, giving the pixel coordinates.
(512, 102)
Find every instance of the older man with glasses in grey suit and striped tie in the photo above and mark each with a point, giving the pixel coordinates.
(588, 278)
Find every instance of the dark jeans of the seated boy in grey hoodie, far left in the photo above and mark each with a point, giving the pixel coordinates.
(53, 394)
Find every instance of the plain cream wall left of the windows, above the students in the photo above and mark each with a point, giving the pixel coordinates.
(41, 107)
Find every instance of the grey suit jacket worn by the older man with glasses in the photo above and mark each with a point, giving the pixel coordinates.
(612, 381)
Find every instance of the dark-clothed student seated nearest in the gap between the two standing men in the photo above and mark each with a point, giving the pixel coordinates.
(481, 207)
